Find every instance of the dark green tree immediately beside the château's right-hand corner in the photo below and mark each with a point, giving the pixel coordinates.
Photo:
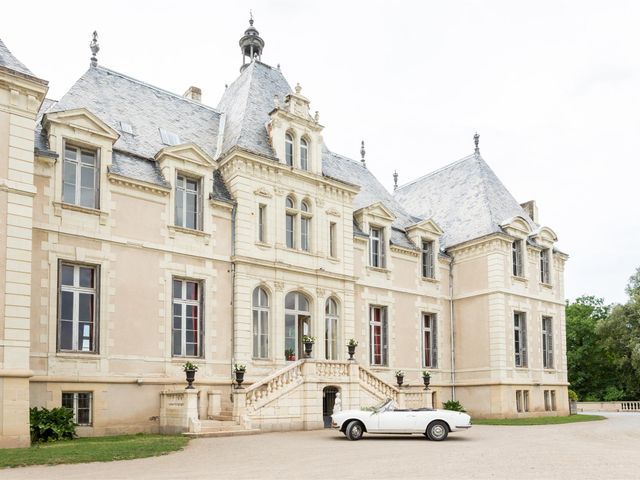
(590, 368)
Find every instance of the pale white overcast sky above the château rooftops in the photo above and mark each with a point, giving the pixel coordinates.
(553, 88)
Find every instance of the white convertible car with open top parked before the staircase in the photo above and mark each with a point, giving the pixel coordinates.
(387, 418)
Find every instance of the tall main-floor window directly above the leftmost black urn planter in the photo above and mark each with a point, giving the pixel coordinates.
(187, 318)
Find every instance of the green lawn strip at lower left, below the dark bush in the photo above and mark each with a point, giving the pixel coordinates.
(95, 449)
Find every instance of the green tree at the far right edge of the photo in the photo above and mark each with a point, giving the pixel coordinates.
(620, 333)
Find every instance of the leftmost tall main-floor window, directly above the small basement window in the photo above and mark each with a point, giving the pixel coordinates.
(77, 302)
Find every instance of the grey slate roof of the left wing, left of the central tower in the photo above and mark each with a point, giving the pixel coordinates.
(114, 98)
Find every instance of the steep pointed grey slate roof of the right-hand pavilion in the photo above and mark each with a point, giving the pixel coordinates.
(465, 198)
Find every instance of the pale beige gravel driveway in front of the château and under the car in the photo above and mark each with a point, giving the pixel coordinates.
(607, 449)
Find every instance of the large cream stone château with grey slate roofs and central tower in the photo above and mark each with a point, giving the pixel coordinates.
(140, 229)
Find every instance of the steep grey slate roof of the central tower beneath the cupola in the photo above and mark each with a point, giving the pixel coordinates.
(246, 104)
